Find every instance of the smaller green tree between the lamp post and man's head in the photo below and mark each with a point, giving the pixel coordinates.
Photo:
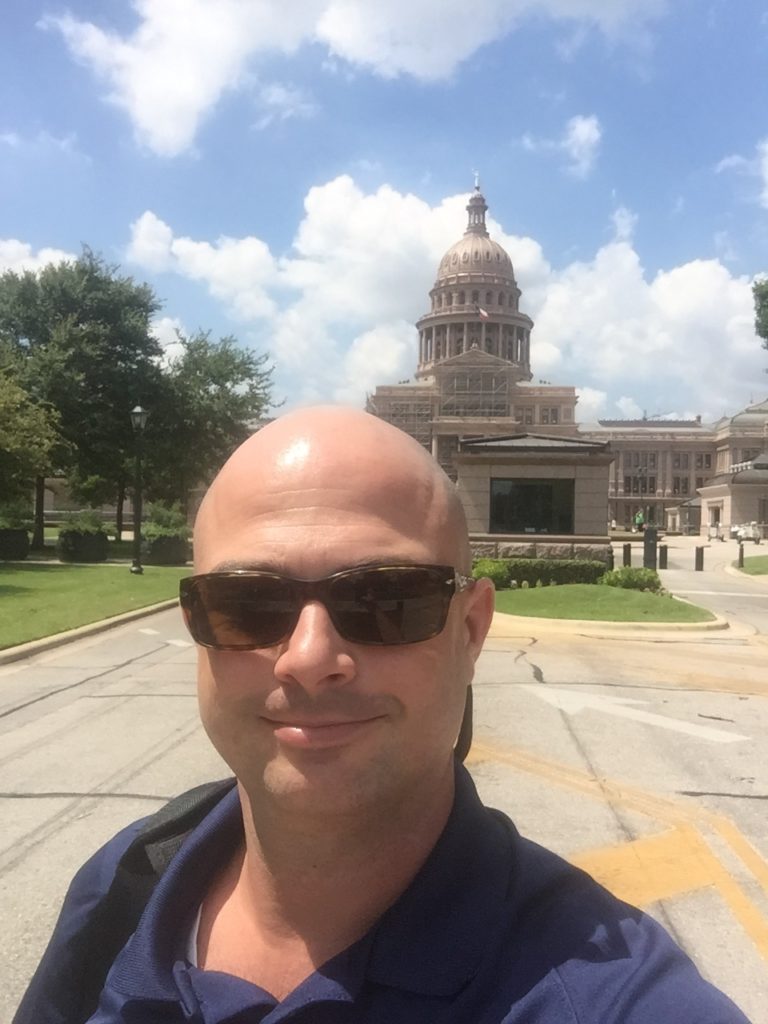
(212, 391)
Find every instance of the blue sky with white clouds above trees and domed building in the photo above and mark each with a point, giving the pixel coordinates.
(291, 174)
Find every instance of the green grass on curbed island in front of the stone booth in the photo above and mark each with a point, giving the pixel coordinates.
(598, 603)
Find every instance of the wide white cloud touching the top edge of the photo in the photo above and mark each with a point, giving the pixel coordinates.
(173, 70)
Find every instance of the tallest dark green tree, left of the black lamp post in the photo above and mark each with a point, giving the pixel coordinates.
(81, 336)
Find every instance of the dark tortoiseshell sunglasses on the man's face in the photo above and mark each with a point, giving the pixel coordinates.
(382, 605)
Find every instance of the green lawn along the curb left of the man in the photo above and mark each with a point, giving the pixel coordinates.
(37, 601)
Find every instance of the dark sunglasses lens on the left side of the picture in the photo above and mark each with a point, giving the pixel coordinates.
(233, 613)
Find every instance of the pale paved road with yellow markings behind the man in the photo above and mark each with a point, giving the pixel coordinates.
(642, 757)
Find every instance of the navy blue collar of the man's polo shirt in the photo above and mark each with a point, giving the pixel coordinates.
(450, 913)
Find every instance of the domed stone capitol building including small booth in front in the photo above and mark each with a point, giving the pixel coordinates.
(524, 464)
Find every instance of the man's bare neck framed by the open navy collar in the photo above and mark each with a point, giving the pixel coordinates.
(303, 891)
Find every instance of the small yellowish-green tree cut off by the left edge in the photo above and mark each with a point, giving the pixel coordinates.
(28, 436)
